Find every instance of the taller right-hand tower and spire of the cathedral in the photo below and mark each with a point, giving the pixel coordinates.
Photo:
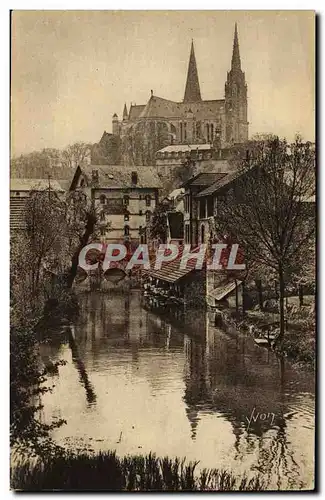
(236, 99)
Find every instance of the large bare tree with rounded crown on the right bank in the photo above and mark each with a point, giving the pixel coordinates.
(266, 208)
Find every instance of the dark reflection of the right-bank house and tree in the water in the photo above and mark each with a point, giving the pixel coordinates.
(230, 377)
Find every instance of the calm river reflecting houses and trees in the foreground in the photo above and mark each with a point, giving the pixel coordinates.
(138, 381)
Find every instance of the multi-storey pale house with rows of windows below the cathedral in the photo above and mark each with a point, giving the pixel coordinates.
(125, 198)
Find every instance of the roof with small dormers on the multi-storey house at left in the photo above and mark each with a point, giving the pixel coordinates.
(119, 176)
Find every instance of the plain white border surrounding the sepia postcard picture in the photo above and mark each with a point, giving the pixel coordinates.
(4, 169)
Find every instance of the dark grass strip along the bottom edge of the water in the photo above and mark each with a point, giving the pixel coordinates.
(108, 472)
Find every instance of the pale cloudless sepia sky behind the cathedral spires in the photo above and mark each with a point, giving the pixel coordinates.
(72, 70)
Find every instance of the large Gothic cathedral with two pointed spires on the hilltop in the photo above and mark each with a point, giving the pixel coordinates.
(145, 129)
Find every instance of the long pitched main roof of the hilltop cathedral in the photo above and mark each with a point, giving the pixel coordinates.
(157, 107)
